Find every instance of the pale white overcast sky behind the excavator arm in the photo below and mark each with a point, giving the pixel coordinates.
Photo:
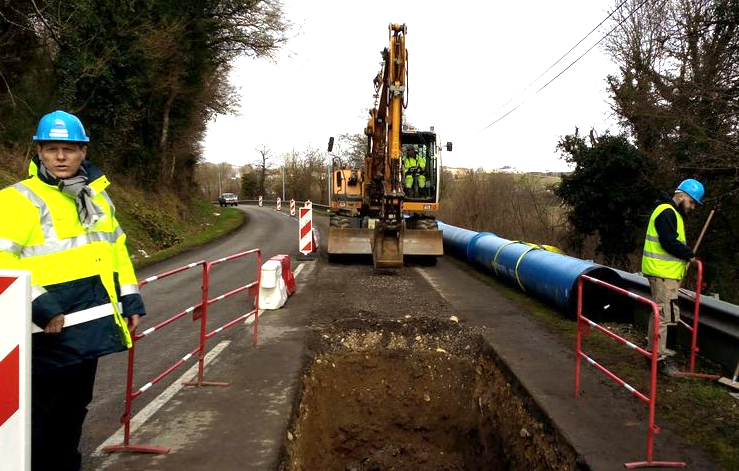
(466, 60)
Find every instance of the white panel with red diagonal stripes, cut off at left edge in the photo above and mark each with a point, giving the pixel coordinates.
(15, 370)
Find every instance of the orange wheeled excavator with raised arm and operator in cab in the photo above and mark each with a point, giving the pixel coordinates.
(386, 207)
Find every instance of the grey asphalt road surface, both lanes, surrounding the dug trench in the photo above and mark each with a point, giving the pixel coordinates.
(243, 426)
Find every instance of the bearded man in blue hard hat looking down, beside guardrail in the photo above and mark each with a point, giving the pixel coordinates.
(665, 259)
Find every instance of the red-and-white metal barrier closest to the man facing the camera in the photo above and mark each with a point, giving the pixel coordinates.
(130, 394)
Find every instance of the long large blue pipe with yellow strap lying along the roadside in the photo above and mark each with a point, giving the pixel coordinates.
(549, 276)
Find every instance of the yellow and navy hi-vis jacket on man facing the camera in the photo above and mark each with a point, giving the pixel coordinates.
(86, 275)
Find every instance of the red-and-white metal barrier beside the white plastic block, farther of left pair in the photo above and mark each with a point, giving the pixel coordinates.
(251, 288)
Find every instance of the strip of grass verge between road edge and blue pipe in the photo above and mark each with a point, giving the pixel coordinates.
(698, 410)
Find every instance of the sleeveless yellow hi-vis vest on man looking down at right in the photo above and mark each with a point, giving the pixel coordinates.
(656, 261)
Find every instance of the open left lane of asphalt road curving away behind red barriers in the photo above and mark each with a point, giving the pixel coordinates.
(266, 229)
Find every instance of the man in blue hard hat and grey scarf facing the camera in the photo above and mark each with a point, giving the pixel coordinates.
(60, 225)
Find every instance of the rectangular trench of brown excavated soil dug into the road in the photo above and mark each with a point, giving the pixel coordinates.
(415, 394)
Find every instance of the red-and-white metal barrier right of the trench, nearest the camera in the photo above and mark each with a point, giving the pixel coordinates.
(583, 325)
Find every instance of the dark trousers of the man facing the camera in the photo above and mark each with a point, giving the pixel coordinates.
(58, 408)
